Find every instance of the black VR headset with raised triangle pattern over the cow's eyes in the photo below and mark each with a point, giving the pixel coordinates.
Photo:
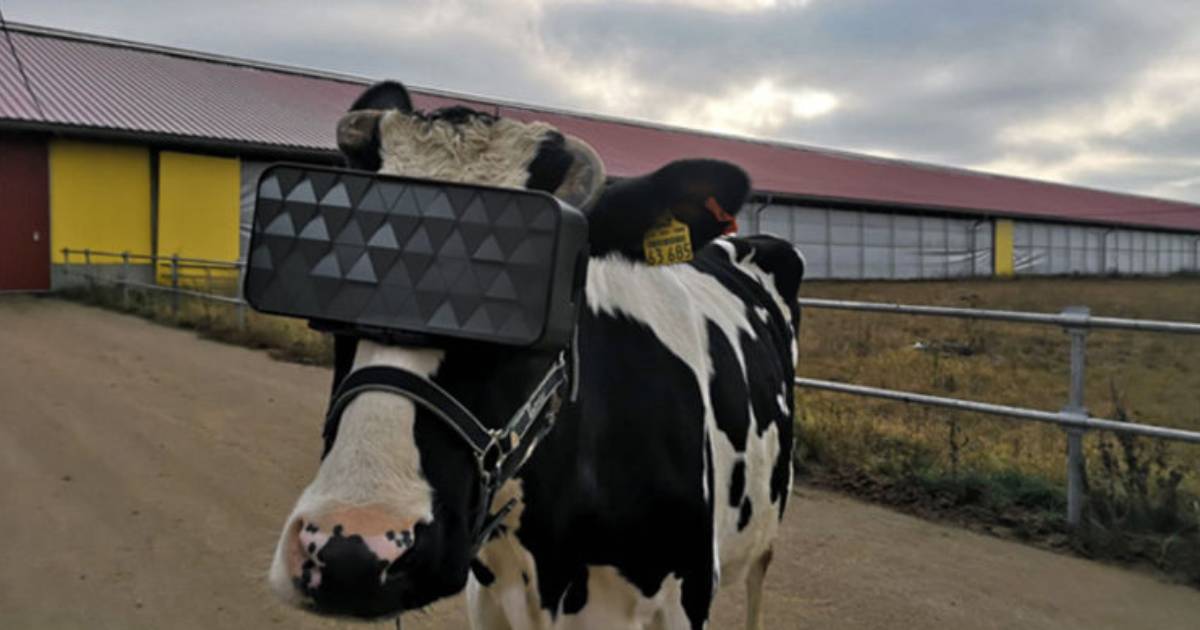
(404, 259)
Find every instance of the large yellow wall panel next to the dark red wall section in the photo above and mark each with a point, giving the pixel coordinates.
(100, 199)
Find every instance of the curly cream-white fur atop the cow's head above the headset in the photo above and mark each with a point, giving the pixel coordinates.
(479, 151)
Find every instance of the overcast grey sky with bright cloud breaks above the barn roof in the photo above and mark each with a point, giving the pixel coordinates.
(1097, 93)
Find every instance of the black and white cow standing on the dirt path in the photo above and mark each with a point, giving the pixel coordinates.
(668, 477)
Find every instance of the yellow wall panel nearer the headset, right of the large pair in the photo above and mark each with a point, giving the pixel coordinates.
(200, 201)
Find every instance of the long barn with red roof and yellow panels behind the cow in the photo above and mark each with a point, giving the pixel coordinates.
(119, 147)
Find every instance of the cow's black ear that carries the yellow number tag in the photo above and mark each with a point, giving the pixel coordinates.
(705, 195)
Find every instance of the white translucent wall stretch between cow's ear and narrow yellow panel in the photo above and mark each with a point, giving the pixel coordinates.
(850, 244)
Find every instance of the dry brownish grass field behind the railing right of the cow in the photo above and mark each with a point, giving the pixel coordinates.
(1156, 376)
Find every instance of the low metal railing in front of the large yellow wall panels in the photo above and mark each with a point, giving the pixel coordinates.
(187, 277)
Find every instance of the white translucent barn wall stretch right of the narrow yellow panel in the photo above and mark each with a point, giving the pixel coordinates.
(1055, 249)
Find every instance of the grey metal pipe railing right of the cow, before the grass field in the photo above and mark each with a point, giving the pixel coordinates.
(1076, 321)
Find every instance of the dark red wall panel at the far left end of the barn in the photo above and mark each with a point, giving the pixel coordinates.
(25, 215)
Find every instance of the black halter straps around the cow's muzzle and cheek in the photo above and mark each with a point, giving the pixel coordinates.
(500, 453)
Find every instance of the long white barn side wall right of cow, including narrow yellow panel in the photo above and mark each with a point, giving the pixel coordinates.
(871, 244)
